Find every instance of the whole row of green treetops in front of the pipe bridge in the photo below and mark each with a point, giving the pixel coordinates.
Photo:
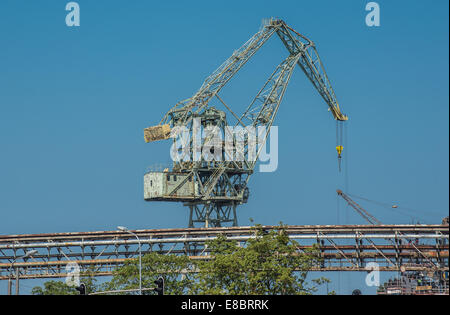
(269, 263)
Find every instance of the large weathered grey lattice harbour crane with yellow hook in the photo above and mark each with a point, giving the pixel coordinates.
(212, 187)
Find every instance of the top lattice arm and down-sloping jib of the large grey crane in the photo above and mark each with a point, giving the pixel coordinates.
(297, 45)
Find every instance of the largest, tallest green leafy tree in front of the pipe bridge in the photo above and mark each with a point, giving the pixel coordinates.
(269, 264)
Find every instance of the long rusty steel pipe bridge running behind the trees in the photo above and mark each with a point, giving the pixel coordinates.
(343, 248)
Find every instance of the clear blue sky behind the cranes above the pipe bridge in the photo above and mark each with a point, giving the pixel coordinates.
(74, 102)
